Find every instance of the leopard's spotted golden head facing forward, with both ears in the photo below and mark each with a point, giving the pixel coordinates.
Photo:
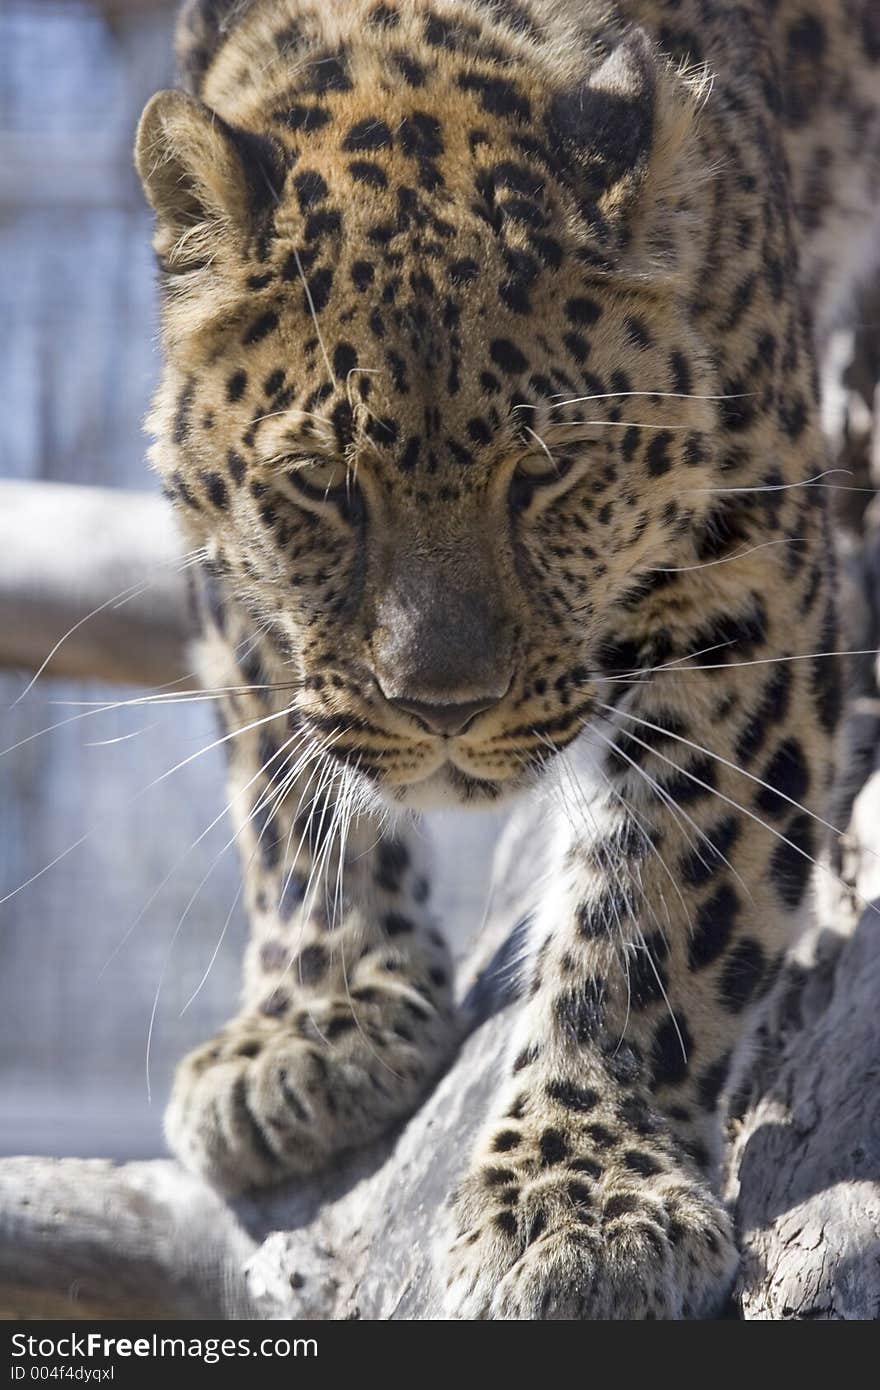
(432, 405)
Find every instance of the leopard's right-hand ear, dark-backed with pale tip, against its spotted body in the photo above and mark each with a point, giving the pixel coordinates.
(625, 131)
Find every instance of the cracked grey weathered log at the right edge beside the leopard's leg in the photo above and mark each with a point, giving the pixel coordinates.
(807, 1153)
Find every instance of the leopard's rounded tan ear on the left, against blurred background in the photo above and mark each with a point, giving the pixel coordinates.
(201, 177)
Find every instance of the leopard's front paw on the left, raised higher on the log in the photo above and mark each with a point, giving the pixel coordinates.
(266, 1100)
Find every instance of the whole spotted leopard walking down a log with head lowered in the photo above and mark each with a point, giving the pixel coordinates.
(490, 411)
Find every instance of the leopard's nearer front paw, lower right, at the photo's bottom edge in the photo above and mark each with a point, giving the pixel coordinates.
(569, 1249)
